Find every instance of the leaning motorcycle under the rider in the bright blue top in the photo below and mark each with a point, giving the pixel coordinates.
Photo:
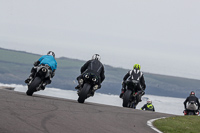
(42, 72)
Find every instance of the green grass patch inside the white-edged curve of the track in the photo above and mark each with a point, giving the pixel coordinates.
(179, 124)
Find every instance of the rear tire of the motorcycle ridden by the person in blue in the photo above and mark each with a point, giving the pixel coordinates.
(32, 87)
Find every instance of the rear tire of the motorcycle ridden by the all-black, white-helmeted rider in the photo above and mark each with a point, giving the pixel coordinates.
(84, 92)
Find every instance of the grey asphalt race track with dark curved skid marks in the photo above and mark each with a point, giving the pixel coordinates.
(20, 113)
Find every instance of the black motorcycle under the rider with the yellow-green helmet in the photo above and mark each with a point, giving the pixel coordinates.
(130, 99)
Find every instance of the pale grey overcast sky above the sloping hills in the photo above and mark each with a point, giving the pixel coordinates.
(161, 35)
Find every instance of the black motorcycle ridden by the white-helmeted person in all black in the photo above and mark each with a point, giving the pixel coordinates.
(89, 86)
